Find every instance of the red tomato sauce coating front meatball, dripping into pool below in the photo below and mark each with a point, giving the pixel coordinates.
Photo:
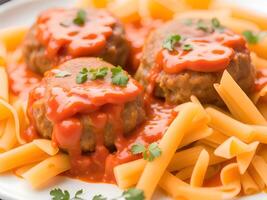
(102, 102)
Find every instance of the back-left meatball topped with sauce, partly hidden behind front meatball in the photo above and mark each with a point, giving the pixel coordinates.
(62, 34)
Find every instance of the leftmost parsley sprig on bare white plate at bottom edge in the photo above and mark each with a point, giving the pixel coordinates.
(58, 194)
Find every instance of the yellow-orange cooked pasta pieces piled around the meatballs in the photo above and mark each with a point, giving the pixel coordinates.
(202, 141)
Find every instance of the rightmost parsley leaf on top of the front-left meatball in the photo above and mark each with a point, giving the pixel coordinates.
(119, 77)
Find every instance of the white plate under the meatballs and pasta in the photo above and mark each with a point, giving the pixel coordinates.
(23, 12)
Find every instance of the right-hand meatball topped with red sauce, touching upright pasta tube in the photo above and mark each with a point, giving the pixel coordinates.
(194, 79)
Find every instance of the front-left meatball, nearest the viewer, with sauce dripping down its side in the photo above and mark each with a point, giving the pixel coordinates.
(105, 111)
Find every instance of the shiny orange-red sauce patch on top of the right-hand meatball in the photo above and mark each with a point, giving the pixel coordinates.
(211, 50)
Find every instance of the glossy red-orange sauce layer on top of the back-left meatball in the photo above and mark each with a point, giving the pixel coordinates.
(63, 39)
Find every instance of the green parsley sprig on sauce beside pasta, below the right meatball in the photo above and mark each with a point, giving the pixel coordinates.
(150, 153)
